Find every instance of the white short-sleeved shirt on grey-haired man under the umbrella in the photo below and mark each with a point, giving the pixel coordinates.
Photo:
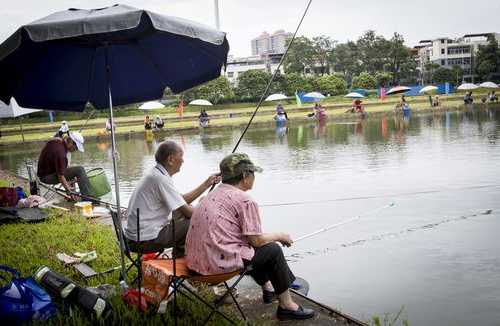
(156, 197)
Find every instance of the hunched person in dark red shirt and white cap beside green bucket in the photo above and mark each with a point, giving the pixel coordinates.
(53, 164)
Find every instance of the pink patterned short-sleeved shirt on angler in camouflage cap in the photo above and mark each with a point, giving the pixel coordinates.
(216, 242)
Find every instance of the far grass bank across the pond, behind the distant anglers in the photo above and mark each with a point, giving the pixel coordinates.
(36, 131)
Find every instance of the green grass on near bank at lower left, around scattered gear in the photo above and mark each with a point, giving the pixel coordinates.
(26, 247)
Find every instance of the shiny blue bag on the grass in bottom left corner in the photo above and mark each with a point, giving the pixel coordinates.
(23, 300)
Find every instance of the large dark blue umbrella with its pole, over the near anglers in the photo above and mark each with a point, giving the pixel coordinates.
(117, 54)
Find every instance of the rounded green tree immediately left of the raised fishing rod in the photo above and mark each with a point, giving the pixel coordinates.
(251, 84)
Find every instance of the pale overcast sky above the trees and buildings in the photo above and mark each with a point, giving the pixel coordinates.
(342, 20)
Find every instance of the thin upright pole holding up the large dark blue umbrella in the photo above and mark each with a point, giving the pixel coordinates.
(115, 172)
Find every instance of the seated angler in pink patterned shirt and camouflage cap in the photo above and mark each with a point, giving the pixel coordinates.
(226, 235)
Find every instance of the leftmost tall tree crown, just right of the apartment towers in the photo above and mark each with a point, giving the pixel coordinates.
(300, 55)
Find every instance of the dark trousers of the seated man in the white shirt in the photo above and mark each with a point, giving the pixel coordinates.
(166, 238)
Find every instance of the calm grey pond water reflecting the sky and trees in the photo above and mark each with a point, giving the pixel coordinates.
(434, 253)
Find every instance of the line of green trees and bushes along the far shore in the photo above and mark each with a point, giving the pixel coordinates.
(322, 64)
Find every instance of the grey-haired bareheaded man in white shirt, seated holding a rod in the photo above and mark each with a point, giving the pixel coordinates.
(157, 198)
